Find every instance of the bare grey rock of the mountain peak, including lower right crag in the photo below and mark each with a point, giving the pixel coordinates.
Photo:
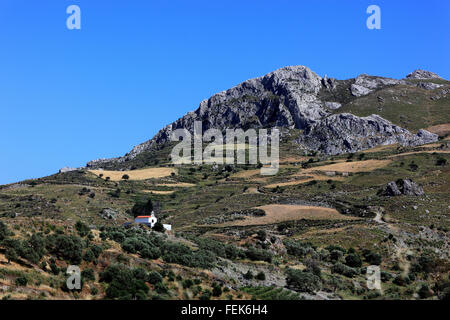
(289, 97)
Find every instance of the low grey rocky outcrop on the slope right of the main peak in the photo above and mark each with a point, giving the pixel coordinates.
(345, 132)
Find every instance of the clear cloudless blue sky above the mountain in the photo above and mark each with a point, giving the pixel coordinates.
(70, 96)
